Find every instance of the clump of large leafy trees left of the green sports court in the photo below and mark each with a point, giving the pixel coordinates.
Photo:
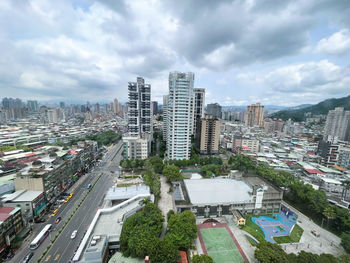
(140, 234)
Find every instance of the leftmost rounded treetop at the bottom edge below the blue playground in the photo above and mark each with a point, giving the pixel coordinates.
(267, 252)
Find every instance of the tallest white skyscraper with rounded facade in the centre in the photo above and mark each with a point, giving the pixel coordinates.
(179, 115)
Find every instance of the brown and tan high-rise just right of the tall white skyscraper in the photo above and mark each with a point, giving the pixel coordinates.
(210, 134)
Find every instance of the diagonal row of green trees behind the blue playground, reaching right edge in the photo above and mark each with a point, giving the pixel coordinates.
(303, 196)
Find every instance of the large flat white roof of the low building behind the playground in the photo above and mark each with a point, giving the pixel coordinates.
(217, 191)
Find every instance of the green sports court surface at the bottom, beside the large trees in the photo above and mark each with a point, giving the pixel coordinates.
(220, 245)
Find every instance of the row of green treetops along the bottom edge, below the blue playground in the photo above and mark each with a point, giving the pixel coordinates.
(272, 253)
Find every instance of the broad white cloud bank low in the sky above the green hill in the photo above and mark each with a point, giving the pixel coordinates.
(302, 82)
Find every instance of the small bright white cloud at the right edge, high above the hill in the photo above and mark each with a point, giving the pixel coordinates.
(336, 44)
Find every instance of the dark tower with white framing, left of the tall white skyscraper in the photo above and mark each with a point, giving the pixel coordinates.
(139, 108)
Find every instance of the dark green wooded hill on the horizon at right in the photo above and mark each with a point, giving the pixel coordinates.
(321, 108)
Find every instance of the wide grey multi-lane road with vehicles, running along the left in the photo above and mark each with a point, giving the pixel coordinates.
(63, 249)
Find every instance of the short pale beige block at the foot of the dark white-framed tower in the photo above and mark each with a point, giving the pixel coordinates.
(135, 148)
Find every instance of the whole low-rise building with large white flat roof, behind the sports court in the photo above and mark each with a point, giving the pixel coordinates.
(221, 196)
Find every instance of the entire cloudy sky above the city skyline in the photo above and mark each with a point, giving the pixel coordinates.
(276, 52)
